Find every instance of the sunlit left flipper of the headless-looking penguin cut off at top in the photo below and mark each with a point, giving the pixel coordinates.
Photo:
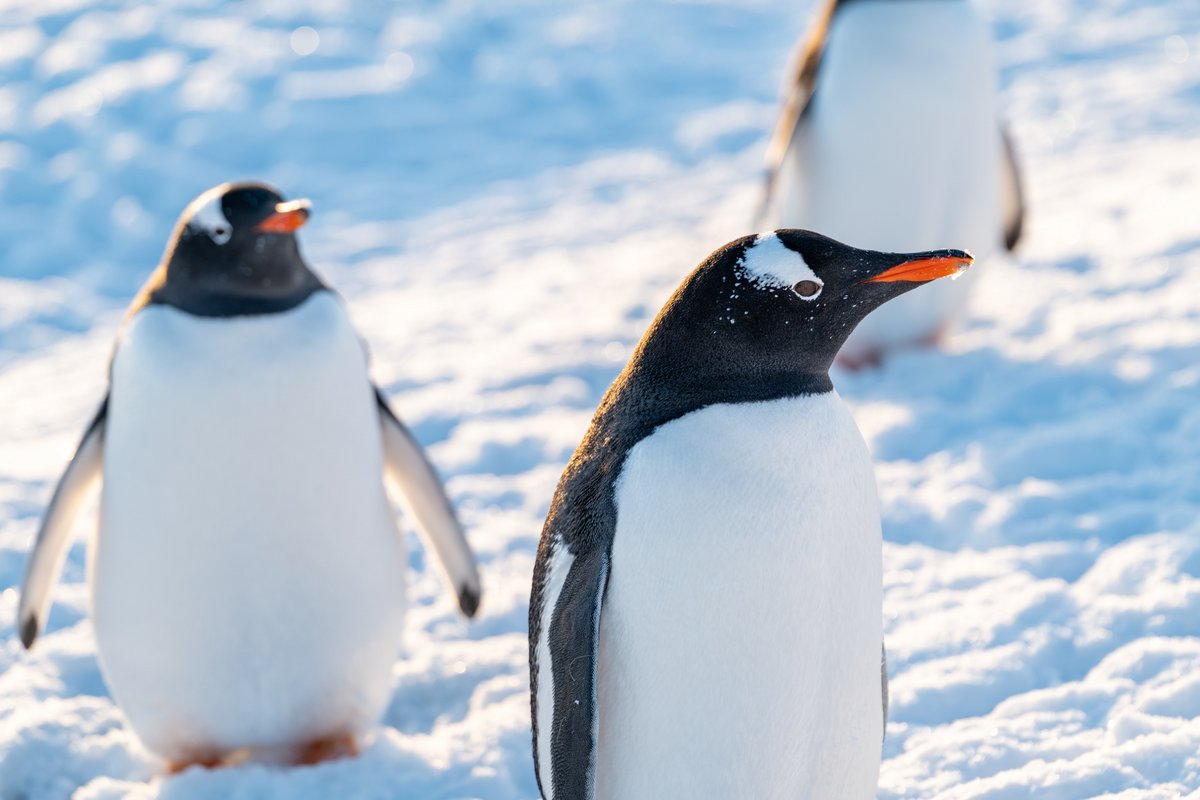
(799, 95)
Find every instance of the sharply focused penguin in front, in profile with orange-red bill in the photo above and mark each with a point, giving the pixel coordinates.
(706, 612)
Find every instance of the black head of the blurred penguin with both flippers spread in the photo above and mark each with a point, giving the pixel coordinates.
(235, 251)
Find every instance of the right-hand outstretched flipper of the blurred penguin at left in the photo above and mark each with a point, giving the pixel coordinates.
(424, 497)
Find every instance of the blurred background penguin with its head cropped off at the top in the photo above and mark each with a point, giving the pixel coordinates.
(891, 136)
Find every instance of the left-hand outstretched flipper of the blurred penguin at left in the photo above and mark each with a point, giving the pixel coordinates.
(75, 489)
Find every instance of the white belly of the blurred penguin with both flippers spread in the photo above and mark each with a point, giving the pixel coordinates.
(248, 576)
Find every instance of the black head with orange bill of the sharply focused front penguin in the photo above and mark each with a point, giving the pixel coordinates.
(781, 305)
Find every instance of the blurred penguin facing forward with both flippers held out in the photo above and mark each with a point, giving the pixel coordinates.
(248, 574)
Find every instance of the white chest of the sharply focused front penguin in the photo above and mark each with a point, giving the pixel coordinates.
(741, 633)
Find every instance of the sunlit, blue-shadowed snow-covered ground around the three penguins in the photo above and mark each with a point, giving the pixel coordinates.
(506, 194)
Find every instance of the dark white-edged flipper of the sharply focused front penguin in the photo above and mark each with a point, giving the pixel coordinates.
(566, 621)
